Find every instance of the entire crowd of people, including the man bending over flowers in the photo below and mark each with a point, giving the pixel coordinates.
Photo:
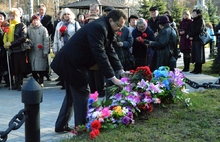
(93, 51)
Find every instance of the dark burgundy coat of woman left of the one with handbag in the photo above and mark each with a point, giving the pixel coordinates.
(185, 43)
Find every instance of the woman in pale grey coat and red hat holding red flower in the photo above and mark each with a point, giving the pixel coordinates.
(38, 34)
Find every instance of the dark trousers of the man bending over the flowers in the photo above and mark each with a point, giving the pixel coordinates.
(76, 101)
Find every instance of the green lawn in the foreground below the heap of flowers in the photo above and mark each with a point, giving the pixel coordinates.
(173, 123)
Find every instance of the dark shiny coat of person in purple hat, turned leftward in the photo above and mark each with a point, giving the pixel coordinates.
(164, 45)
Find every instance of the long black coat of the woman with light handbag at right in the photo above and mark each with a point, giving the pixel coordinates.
(198, 51)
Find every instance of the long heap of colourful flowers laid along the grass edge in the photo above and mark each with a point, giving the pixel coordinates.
(139, 92)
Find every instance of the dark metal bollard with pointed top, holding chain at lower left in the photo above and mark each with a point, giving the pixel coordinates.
(32, 97)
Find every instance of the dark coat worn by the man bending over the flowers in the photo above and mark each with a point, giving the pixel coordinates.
(88, 46)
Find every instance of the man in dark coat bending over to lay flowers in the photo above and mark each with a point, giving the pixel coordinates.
(89, 46)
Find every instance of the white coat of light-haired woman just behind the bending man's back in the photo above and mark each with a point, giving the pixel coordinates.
(71, 30)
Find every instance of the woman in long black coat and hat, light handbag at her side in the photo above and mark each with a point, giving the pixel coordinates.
(198, 51)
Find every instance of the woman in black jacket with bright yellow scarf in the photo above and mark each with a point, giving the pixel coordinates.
(13, 41)
